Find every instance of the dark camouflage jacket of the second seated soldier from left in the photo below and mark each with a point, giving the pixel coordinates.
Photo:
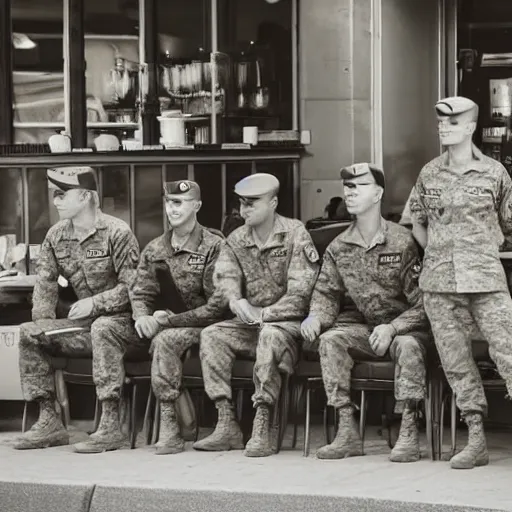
(190, 270)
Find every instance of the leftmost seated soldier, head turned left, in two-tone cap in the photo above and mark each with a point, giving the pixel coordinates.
(97, 254)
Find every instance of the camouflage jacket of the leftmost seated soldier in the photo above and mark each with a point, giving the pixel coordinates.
(101, 265)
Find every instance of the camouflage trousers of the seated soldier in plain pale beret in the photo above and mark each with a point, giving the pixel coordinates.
(274, 347)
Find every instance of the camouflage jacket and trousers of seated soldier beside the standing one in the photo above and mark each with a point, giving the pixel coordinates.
(371, 286)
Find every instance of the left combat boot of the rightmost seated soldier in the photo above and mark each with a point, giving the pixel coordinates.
(347, 442)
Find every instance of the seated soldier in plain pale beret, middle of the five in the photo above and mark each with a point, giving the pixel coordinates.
(266, 272)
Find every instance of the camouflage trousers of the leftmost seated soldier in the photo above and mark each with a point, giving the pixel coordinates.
(107, 340)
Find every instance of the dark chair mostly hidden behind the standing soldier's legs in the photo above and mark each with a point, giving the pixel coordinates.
(480, 350)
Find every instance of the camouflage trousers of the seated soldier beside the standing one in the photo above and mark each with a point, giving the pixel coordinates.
(345, 342)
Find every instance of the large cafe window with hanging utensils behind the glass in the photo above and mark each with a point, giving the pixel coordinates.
(217, 66)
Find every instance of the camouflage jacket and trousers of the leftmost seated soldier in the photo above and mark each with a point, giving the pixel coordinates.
(102, 266)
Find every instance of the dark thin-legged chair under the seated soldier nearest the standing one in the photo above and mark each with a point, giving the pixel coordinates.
(367, 376)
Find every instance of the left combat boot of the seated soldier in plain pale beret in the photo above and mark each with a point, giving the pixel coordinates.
(227, 434)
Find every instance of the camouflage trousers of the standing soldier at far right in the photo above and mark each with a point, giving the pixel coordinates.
(453, 318)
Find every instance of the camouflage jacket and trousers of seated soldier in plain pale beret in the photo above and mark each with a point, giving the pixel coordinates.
(278, 277)
